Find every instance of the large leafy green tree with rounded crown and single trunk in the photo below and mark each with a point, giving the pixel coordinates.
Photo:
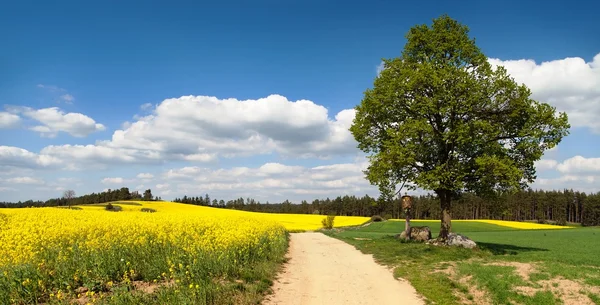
(441, 118)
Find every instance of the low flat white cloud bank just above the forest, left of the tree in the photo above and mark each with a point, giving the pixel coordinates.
(272, 181)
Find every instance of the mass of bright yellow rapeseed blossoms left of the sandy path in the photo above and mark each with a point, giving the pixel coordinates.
(47, 237)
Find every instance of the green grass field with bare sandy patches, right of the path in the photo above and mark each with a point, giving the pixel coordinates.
(511, 266)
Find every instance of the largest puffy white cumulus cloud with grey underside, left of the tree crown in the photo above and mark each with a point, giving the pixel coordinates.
(195, 128)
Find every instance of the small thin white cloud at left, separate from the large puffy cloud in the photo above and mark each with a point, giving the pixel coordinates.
(55, 120)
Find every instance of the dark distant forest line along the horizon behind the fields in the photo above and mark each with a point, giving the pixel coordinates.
(557, 207)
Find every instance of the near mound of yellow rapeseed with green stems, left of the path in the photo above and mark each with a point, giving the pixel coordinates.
(47, 253)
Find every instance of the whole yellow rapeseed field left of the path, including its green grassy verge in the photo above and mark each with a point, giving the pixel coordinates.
(143, 253)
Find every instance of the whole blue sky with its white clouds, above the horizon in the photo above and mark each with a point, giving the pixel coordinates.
(95, 94)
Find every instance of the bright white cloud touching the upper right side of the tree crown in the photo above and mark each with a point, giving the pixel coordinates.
(570, 84)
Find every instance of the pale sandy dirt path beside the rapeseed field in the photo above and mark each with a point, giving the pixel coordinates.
(324, 270)
